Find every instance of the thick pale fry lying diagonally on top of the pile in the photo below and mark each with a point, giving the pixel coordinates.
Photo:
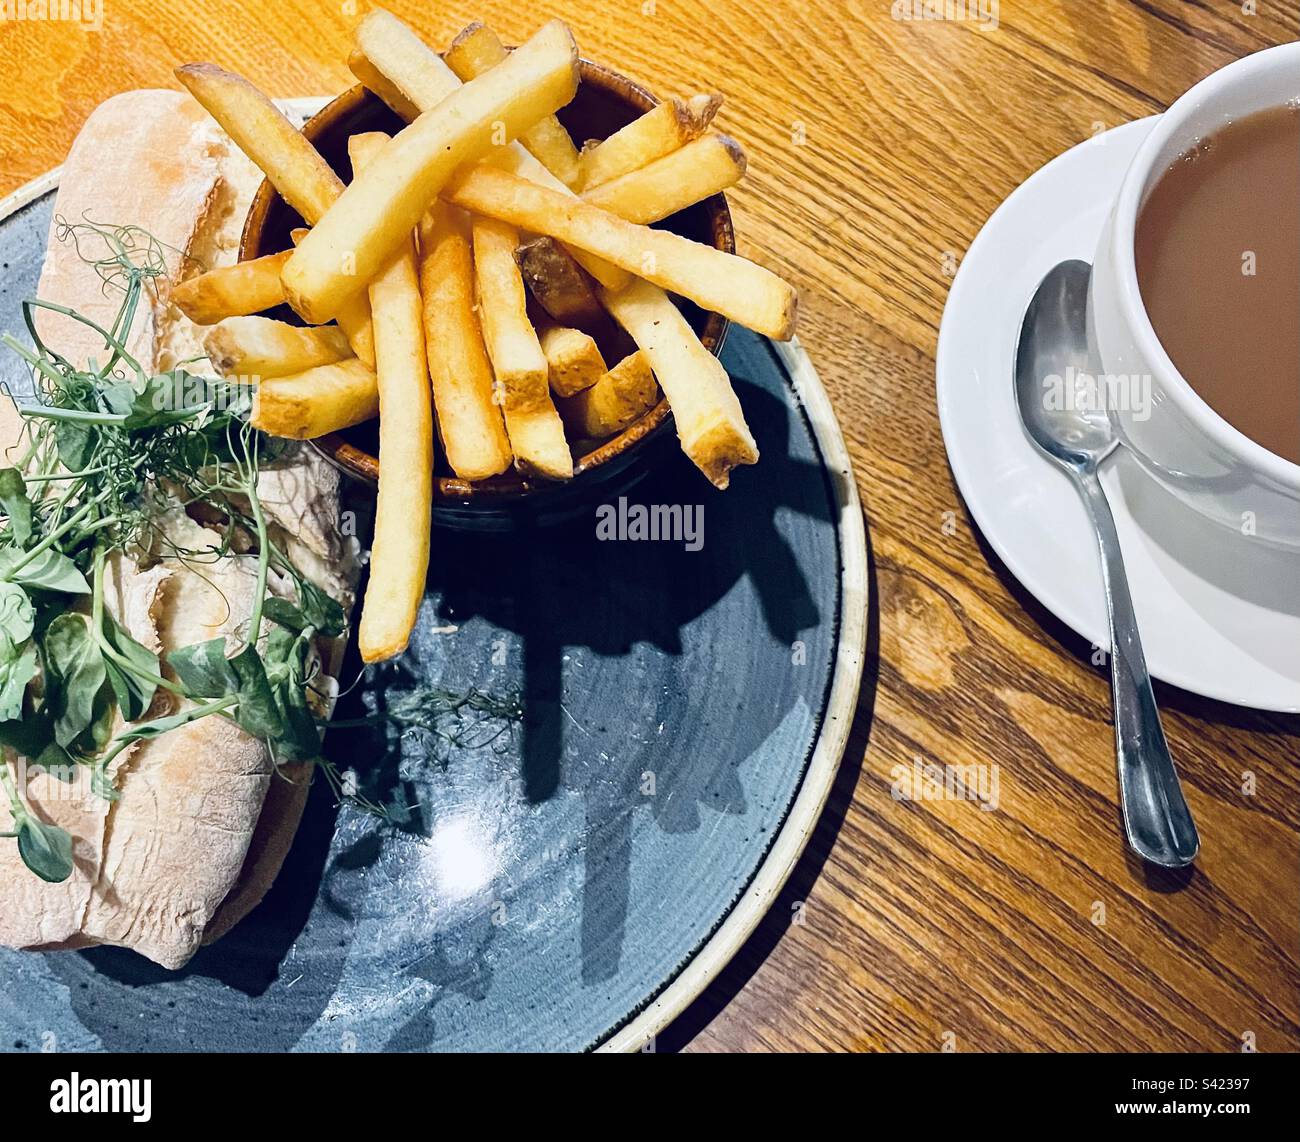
(378, 213)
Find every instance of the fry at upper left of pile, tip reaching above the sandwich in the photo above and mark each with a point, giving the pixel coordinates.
(294, 167)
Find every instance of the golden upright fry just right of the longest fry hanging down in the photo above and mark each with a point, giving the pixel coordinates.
(470, 423)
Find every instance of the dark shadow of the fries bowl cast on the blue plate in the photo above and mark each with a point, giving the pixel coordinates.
(564, 590)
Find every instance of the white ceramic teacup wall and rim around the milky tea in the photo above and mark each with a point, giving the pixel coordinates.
(1177, 438)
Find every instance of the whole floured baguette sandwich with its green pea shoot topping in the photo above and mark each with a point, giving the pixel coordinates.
(158, 829)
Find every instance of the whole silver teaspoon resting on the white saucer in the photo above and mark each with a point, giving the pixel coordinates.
(1054, 351)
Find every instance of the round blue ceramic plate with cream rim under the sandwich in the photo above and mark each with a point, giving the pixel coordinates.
(564, 883)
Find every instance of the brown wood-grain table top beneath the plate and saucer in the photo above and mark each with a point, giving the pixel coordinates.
(878, 149)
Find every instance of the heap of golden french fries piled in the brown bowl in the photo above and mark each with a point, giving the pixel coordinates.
(475, 279)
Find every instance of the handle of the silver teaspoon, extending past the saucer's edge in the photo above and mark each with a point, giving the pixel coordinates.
(1158, 821)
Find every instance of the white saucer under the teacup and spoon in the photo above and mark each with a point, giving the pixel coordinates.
(1220, 615)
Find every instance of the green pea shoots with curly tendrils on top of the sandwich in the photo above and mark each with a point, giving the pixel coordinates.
(107, 453)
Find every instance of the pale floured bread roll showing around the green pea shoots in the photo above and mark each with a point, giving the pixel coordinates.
(203, 821)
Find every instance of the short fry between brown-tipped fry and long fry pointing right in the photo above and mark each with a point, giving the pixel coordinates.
(681, 179)
